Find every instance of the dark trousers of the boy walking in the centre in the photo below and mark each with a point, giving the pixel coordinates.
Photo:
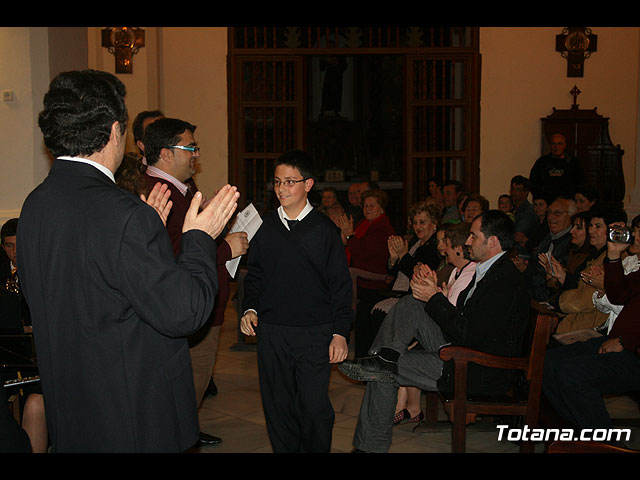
(294, 369)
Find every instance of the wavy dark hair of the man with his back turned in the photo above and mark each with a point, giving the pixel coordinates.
(79, 110)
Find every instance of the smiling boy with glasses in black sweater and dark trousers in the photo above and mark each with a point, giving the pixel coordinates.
(298, 285)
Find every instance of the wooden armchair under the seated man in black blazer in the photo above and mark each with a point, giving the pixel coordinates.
(463, 411)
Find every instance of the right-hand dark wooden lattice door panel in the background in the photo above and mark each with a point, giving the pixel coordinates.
(441, 122)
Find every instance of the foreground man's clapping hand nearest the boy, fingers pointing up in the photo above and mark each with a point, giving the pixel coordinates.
(213, 218)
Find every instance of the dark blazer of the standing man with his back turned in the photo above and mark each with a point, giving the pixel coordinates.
(111, 307)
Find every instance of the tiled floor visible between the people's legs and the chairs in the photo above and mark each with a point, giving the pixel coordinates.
(235, 413)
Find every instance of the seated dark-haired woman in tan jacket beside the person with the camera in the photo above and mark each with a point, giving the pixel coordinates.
(576, 304)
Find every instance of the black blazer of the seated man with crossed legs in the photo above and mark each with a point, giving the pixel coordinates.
(493, 320)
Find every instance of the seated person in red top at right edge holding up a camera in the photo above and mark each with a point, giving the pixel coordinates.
(576, 376)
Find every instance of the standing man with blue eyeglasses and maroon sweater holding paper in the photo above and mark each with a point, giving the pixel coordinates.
(171, 151)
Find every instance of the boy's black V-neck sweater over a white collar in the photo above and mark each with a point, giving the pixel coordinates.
(299, 277)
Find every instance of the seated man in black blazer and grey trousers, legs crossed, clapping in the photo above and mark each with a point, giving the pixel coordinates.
(490, 315)
